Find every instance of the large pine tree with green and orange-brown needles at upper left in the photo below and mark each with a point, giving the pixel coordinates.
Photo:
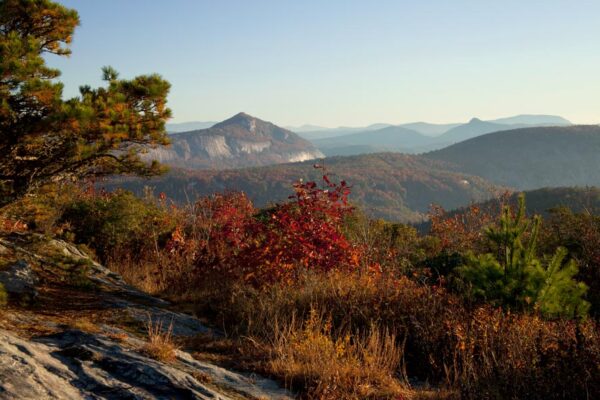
(44, 138)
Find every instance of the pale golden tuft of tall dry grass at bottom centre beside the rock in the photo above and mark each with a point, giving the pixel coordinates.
(310, 357)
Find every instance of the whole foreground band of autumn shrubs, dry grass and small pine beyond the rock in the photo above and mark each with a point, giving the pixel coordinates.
(490, 303)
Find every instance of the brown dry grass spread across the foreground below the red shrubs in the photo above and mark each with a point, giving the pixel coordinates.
(448, 344)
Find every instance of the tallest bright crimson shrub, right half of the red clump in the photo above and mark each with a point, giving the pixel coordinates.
(305, 233)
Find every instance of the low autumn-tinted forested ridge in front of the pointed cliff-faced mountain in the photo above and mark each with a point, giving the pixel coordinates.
(394, 186)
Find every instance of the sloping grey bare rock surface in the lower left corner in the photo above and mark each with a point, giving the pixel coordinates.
(110, 363)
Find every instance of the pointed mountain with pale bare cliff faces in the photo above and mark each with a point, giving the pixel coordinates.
(241, 141)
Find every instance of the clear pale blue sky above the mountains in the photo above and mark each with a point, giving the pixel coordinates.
(347, 62)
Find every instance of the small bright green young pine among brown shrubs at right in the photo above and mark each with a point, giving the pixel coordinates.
(514, 277)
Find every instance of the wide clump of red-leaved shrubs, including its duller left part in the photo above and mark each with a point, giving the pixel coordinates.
(227, 238)
